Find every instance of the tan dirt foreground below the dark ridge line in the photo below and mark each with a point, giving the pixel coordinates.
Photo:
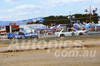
(42, 58)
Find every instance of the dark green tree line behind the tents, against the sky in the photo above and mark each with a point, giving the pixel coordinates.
(64, 19)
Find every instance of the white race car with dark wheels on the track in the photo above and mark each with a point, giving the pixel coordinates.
(70, 32)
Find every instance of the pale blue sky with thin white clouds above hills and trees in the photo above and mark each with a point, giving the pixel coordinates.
(14, 10)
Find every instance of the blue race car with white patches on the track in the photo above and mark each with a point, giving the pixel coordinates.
(22, 35)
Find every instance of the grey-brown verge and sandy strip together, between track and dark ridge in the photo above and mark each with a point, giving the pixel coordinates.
(87, 40)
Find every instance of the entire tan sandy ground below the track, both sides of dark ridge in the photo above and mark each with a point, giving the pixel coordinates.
(44, 58)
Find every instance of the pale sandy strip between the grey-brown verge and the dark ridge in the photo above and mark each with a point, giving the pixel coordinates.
(56, 44)
